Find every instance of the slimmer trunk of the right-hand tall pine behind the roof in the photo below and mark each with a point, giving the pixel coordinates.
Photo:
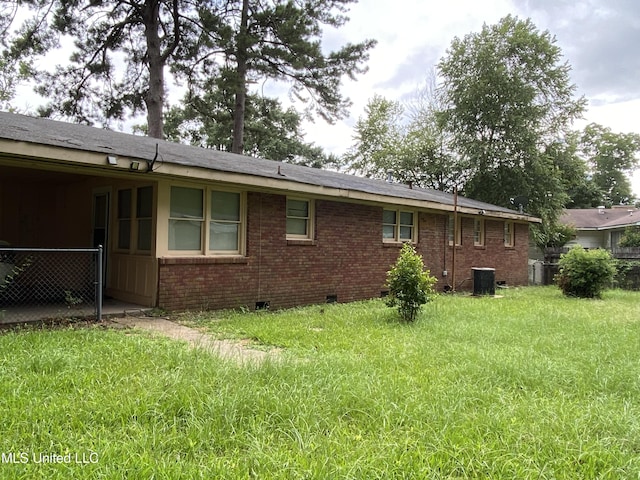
(237, 145)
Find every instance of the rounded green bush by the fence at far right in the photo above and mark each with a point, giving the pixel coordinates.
(585, 273)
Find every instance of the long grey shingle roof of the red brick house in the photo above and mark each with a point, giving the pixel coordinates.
(21, 128)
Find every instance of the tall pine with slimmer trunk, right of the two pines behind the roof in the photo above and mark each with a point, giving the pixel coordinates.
(280, 40)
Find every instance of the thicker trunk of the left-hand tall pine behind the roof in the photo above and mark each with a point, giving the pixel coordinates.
(154, 98)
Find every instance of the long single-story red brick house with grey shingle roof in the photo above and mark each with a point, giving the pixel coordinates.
(191, 228)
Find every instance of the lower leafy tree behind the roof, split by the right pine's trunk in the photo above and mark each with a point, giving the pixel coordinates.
(270, 131)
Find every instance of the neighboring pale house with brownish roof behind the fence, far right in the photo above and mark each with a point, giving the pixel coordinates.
(600, 227)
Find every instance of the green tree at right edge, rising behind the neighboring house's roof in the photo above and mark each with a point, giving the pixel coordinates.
(611, 157)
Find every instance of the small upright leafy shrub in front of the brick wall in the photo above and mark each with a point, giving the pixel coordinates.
(410, 285)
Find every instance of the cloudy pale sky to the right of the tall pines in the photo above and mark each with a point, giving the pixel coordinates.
(598, 38)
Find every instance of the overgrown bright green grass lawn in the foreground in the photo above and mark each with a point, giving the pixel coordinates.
(531, 385)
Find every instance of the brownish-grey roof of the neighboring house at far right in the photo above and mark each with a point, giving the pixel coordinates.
(601, 218)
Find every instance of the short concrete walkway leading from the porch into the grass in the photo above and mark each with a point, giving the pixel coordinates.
(229, 349)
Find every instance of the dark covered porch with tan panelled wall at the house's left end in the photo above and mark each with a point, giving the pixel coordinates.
(61, 206)
